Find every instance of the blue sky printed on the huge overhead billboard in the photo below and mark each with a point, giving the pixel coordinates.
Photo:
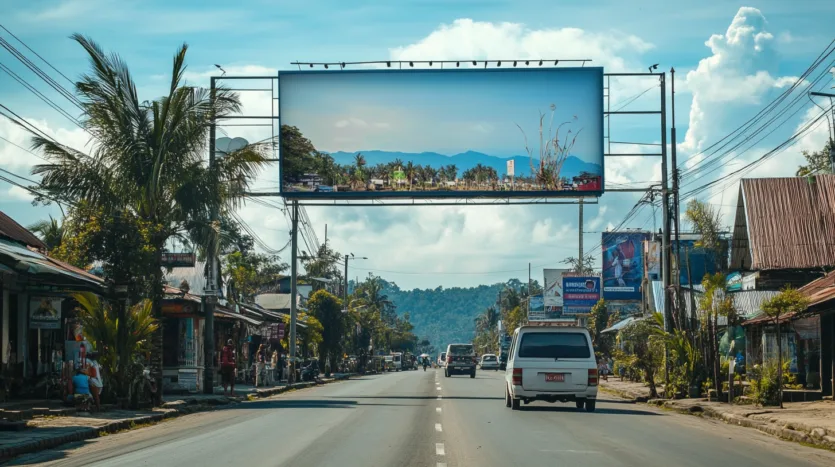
(449, 112)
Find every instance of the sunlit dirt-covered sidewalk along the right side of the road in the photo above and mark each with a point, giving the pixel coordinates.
(805, 422)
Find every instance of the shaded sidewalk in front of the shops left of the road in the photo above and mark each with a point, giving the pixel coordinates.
(46, 430)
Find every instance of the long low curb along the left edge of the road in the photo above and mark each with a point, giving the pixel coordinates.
(174, 410)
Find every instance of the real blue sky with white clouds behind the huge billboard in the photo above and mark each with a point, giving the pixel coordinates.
(730, 60)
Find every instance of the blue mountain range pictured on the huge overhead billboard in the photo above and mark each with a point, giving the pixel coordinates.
(573, 166)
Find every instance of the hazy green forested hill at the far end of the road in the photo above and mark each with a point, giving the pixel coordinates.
(444, 315)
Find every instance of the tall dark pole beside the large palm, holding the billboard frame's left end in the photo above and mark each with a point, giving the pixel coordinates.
(211, 293)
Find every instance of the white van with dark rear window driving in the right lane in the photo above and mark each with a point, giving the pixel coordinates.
(551, 363)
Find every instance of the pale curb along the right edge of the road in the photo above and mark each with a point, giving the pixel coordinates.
(815, 436)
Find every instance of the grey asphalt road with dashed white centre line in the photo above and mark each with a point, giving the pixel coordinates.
(424, 419)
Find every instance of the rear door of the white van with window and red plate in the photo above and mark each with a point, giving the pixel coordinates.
(554, 361)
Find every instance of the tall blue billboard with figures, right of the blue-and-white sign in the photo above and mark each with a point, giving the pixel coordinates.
(623, 265)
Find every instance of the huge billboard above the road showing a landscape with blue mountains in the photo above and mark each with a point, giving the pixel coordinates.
(441, 133)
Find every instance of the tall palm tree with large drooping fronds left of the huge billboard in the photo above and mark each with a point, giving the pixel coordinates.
(148, 159)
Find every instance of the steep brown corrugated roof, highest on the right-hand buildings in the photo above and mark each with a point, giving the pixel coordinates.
(785, 223)
